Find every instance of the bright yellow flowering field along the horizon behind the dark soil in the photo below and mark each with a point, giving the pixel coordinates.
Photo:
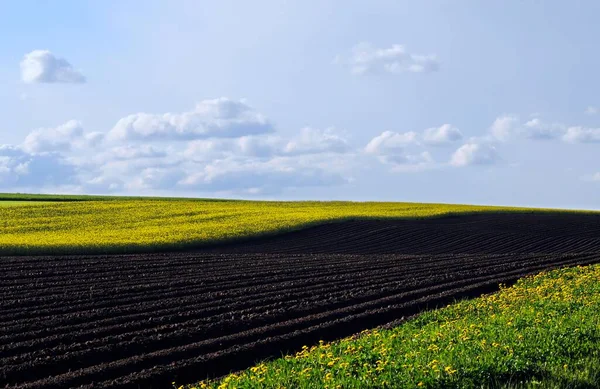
(90, 224)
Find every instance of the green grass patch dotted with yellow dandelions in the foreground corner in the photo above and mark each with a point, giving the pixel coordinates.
(544, 332)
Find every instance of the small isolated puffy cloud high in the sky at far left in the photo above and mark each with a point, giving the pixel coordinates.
(41, 66)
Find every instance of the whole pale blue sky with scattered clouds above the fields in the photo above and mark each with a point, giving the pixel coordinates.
(453, 101)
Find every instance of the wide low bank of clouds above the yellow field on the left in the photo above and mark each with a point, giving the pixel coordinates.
(230, 149)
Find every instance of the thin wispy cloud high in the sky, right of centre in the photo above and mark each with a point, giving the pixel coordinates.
(365, 58)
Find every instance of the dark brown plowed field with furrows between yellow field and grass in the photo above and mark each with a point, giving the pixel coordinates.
(147, 320)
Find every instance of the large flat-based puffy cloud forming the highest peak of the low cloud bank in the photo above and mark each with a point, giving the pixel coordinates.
(218, 118)
